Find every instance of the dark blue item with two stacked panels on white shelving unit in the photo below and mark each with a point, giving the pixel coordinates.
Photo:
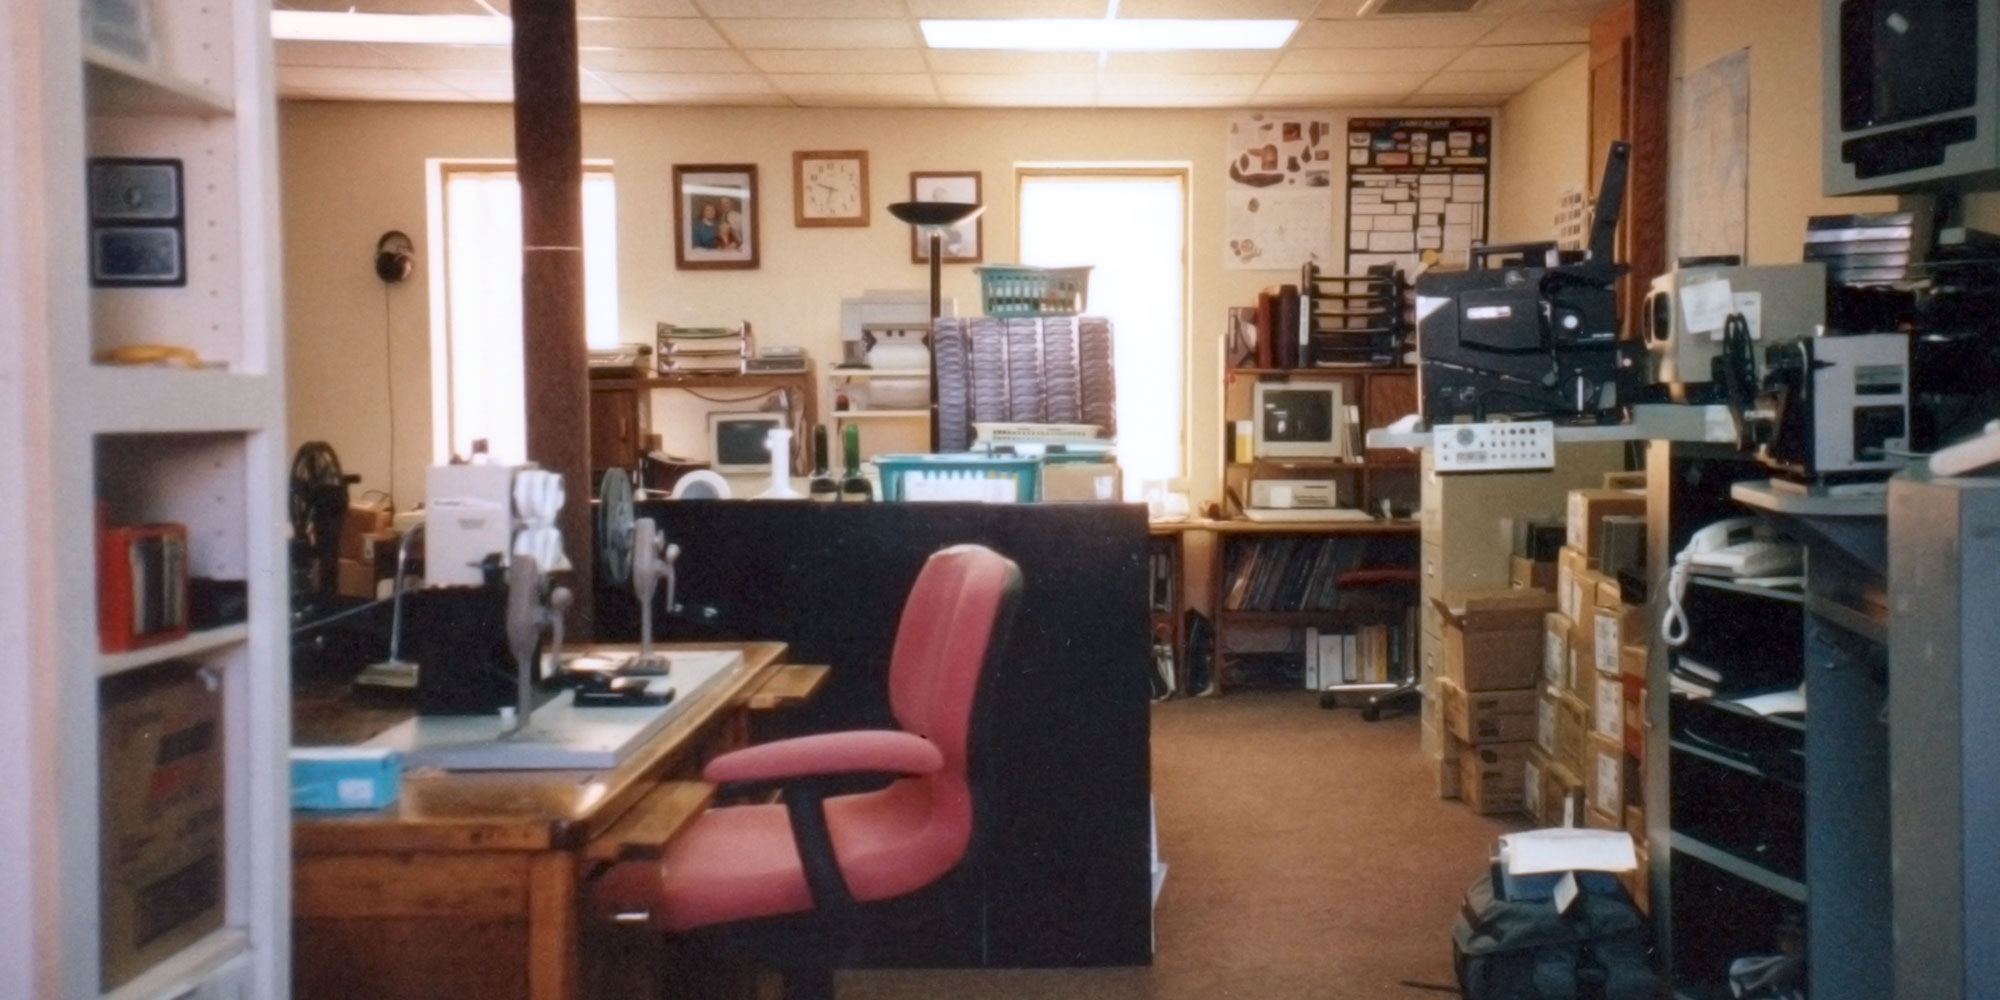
(137, 225)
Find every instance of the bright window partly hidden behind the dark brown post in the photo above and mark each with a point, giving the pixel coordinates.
(477, 359)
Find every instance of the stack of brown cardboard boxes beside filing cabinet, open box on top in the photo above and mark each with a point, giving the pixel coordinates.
(1487, 693)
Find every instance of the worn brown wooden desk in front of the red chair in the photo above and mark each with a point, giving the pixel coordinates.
(471, 885)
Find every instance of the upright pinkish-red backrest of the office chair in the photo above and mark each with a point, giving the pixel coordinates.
(951, 625)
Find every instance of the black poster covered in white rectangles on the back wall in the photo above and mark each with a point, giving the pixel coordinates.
(1417, 191)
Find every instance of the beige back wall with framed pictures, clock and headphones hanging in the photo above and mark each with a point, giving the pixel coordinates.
(355, 171)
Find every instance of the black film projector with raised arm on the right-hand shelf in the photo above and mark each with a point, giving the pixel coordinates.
(1529, 331)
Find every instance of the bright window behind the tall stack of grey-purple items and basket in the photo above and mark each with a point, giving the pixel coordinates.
(1131, 229)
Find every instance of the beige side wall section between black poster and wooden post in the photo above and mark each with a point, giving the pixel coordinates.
(1541, 153)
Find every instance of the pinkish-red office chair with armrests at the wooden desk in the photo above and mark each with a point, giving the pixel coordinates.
(785, 881)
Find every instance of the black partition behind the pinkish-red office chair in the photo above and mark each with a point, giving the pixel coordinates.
(1065, 875)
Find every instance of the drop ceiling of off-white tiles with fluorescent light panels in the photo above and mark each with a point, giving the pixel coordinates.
(1531, 39)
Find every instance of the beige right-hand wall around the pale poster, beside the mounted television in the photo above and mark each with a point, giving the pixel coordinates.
(1785, 113)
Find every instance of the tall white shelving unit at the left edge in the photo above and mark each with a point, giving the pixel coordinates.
(205, 449)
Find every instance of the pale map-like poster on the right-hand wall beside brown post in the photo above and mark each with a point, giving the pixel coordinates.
(1715, 159)
